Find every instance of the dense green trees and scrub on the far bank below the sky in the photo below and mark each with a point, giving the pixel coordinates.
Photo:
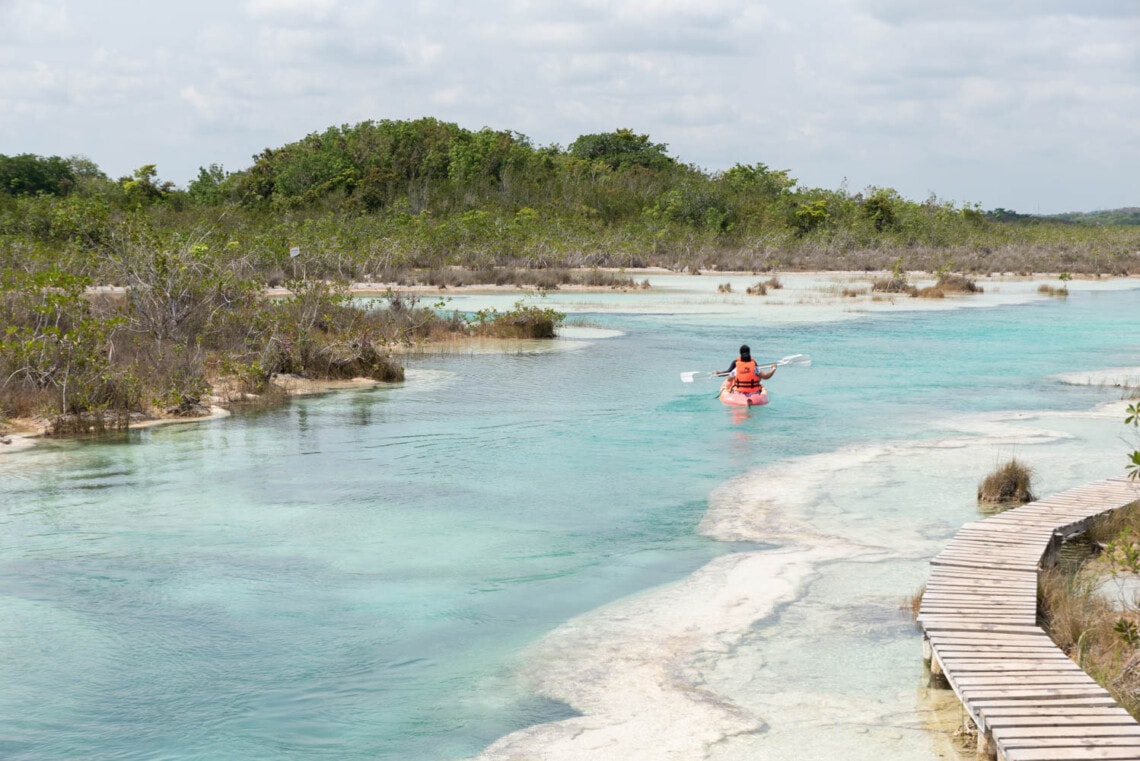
(378, 200)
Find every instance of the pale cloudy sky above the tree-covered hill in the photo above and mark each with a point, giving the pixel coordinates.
(1027, 105)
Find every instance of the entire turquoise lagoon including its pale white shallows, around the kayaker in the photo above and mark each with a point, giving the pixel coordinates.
(556, 554)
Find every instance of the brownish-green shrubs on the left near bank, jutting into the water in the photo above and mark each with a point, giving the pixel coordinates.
(87, 362)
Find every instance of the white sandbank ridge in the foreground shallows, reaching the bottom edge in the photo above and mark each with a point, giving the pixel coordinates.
(634, 669)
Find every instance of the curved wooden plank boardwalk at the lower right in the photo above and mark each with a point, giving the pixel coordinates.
(979, 615)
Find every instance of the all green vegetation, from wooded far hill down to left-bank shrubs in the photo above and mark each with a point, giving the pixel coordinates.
(419, 201)
